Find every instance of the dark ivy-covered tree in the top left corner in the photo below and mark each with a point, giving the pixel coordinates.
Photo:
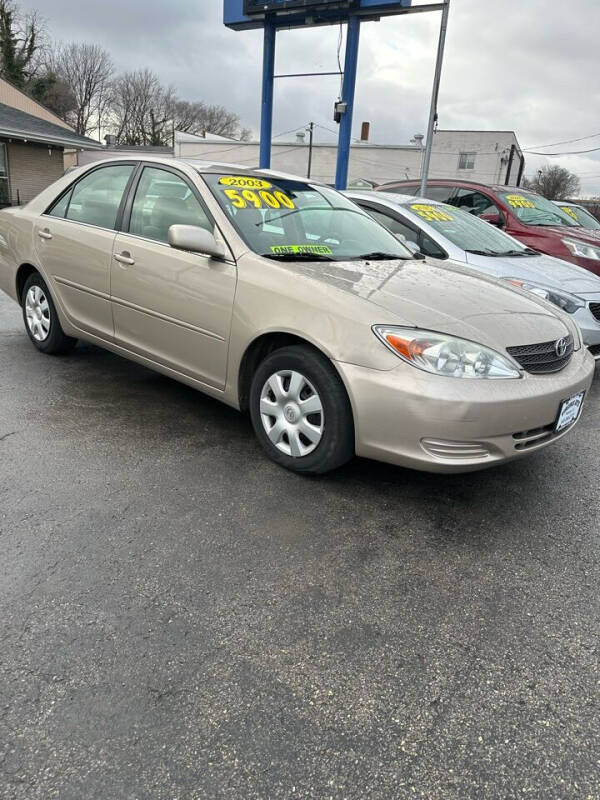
(22, 38)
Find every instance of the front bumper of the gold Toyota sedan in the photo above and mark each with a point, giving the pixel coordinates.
(413, 419)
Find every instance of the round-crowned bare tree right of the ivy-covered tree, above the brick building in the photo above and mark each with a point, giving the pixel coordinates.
(87, 69)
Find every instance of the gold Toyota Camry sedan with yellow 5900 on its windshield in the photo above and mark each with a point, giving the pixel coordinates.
(282, 298)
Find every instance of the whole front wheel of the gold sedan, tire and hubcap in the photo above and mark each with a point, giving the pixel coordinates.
(306, 396)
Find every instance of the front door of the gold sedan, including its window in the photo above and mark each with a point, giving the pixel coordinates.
(171, 306)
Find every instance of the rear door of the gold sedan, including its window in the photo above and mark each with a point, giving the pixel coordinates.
(74, 244)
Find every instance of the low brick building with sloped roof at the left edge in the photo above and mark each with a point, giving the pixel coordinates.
(32, 145)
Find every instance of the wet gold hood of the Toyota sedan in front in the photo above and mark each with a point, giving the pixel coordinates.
(450, 298)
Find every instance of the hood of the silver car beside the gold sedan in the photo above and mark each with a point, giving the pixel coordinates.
(545, 270)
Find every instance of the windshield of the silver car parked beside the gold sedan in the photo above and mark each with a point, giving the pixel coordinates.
(463, 229)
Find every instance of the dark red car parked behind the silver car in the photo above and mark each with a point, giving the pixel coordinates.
(527, 216)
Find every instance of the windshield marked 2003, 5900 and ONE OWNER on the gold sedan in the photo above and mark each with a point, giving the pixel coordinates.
(292, 219)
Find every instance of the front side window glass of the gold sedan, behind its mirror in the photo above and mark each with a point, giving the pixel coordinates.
(163, 199)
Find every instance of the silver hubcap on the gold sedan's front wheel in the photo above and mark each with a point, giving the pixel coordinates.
(292, 413)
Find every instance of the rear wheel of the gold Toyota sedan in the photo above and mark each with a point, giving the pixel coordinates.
(41, 320)
